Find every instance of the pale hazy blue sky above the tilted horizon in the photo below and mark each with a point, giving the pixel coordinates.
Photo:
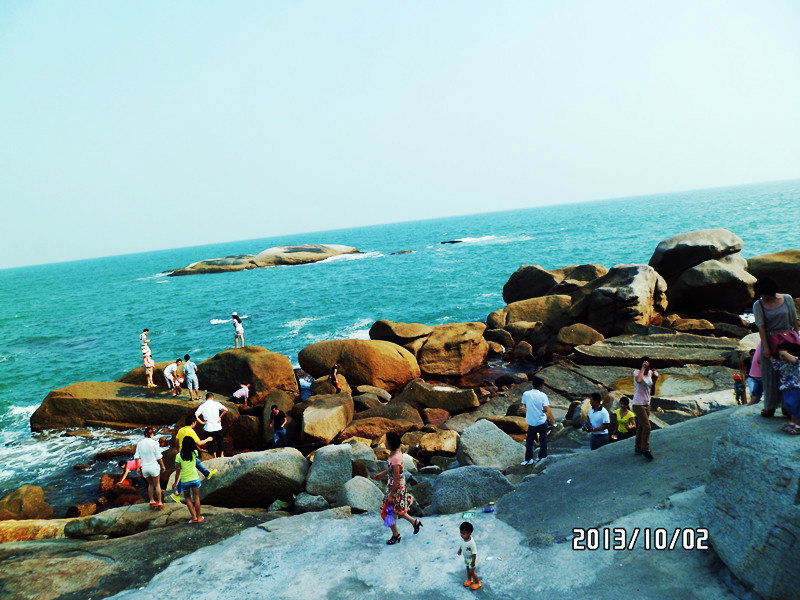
(136, 126)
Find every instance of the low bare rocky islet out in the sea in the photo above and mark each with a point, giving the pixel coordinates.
(271, 257)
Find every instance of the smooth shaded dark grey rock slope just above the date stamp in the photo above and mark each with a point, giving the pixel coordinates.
(592, 481)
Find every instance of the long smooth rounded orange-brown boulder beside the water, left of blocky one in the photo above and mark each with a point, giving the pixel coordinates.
(364, 362)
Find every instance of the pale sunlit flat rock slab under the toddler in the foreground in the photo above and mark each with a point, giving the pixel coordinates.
(348, 559)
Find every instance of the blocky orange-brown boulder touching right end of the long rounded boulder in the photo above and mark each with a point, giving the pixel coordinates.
(453, 350)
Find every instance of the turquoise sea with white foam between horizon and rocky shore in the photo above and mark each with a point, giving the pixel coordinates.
(80, 321)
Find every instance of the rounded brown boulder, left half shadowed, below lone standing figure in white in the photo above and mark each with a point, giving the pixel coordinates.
(265, 371)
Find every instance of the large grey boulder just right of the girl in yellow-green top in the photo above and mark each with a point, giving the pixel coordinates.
(255, 479)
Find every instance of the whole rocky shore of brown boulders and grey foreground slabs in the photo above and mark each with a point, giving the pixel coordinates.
(308, 515)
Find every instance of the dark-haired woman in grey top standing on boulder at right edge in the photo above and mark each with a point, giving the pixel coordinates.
(776, 318)
